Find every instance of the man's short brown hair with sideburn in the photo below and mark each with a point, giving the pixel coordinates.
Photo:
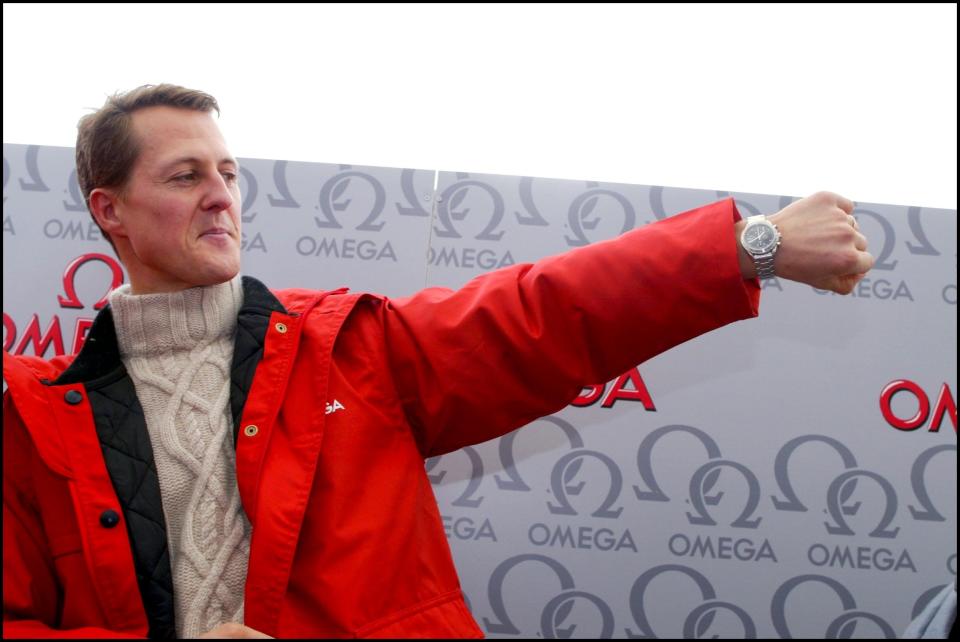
(106, 147)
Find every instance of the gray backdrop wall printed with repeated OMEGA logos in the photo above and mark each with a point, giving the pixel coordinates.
(790, 476)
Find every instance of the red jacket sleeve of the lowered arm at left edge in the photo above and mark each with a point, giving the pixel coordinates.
(31, 593)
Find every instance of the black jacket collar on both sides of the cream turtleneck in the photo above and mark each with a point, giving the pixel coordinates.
(100, 355)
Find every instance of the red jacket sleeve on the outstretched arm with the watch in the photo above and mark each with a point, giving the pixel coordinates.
(521, 342)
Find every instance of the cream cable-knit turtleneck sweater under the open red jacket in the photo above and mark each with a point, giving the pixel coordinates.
(178, 348)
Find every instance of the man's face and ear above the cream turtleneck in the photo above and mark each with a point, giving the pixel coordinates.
(178, 220)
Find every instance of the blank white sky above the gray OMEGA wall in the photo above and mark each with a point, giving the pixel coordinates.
(860, 99)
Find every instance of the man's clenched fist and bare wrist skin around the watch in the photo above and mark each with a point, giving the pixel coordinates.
(820, 244)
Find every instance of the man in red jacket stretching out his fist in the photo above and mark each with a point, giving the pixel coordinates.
(225, 460)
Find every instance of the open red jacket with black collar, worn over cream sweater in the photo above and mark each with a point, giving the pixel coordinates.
(348, 394)
